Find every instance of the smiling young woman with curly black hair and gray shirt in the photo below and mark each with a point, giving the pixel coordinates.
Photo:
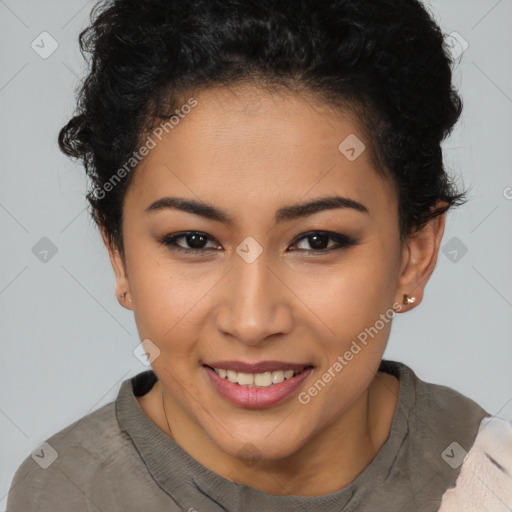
(268, 180)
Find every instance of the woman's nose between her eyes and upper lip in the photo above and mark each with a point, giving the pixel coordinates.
(255, 302)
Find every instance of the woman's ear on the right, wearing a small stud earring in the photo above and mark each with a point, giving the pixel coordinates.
(419, 258)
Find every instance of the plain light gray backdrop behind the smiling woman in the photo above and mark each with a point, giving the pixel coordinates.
(66, 342)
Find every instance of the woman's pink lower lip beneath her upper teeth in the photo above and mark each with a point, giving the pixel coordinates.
(254, 397)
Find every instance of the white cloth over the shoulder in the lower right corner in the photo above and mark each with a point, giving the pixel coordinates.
(485, 479)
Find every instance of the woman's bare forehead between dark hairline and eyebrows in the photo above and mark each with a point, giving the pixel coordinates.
(244, 146)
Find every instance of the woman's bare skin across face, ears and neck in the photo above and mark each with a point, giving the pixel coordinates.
(249, 152)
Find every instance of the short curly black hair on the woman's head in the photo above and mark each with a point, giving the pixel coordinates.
(385, 61)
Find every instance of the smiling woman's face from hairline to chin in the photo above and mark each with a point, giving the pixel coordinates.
(258, 294)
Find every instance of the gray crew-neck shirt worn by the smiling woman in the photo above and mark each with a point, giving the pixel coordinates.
(117, 459)
